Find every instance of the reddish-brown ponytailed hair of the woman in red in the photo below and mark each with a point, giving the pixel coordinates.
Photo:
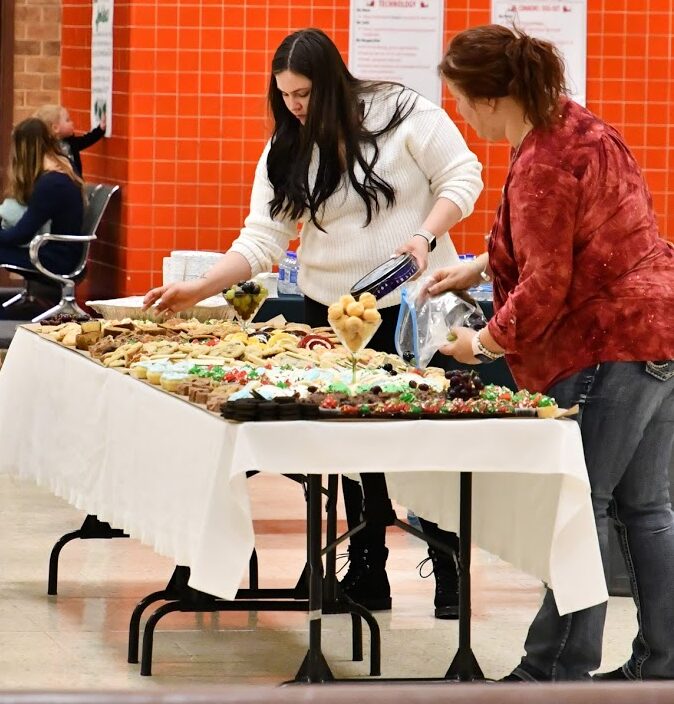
(492, 61)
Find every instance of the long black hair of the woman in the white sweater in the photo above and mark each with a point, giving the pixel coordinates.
(334, 123)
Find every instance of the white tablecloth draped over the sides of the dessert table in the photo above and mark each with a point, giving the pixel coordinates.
(173, 476)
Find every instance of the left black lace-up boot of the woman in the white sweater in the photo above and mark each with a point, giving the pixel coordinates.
(366, 582)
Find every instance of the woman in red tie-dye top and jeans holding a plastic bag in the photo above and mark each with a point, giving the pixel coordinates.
(584, 305)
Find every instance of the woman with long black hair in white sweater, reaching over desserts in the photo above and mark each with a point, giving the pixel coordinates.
(367, 169)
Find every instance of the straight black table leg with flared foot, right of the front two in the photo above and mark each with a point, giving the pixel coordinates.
(464, 665)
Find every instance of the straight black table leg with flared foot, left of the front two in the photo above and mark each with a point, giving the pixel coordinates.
(314, 668)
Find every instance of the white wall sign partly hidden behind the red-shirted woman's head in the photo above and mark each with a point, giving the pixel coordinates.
(562, 23)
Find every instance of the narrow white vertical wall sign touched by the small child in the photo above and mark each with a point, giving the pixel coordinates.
(101, 63)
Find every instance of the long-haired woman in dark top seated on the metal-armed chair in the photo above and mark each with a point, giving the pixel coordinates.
(43, 180)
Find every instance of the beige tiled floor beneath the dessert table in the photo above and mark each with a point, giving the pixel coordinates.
(78, 639)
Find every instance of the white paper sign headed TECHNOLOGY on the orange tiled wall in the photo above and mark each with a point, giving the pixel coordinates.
(398, 40)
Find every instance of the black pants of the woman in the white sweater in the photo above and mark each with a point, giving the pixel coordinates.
(371, 536)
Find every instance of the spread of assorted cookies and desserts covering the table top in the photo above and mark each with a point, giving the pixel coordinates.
(287, 371)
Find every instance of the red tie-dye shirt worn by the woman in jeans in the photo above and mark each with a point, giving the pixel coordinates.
(581, 275)
